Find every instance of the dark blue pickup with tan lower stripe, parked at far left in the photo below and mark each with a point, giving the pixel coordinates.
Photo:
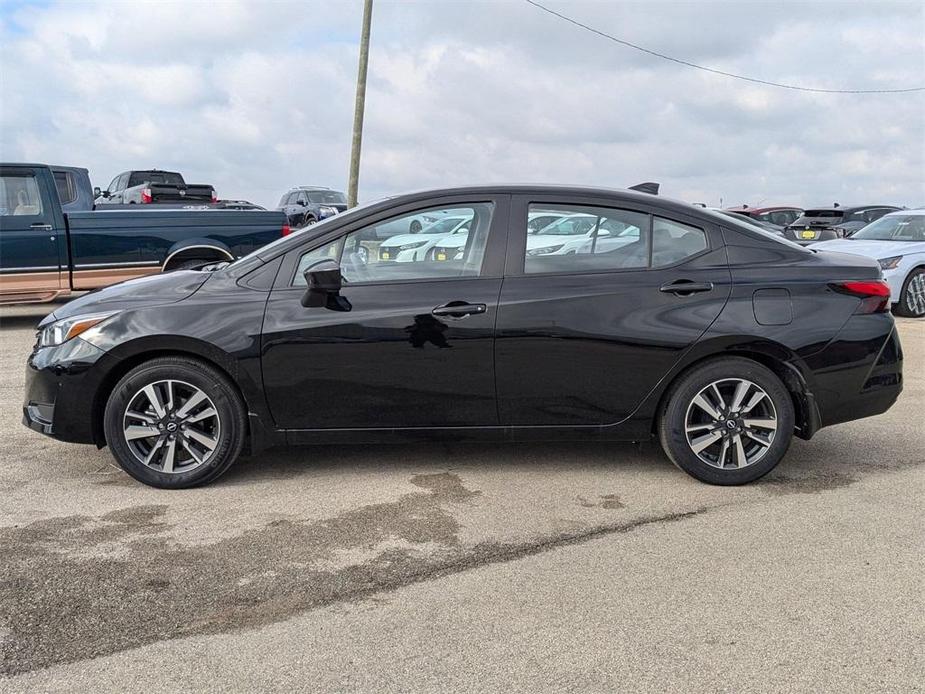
(47, 250)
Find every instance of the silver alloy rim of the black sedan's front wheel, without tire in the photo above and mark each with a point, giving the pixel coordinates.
(171, 426)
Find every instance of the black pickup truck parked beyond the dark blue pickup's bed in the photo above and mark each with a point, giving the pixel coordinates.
(152, 187)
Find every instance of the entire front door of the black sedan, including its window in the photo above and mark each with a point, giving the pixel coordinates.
(414, 347)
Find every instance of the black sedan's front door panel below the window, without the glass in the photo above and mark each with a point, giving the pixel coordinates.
(388, 362)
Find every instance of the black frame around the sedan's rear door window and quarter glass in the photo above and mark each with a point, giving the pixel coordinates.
(521, 210)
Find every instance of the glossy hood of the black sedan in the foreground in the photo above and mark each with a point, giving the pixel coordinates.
(152, 290)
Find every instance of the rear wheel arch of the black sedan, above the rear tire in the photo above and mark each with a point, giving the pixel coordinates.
(778, 358)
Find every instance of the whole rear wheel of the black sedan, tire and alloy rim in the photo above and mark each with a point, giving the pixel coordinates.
(728, 421)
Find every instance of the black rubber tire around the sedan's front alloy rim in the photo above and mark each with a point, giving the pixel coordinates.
(214, 384)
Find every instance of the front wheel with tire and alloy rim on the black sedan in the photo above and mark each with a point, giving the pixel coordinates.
(175, 422)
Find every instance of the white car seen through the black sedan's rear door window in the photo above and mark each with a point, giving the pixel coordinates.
(581, 233)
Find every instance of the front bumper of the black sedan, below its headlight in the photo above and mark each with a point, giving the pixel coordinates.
(61, 385)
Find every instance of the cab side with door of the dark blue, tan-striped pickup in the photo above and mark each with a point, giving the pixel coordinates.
(31, 235)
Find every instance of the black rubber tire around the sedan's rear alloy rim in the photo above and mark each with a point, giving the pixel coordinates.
(679, 403)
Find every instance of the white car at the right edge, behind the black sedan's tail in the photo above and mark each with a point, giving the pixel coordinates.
(897, 242)
